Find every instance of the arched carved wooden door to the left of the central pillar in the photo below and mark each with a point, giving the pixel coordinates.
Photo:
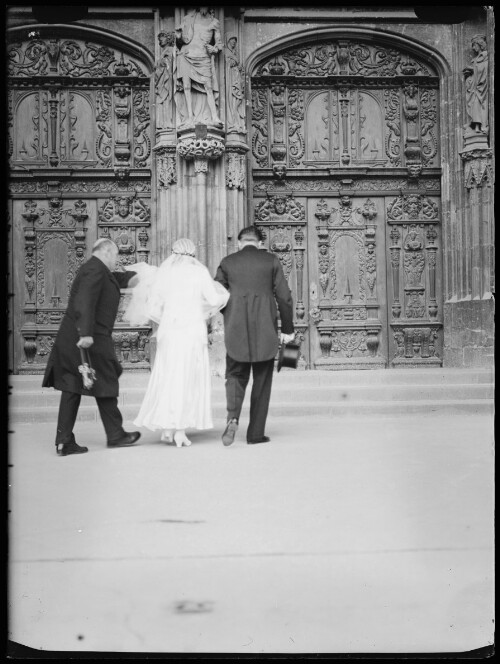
(80, 150)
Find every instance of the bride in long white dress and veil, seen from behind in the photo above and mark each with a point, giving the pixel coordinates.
(179, 295)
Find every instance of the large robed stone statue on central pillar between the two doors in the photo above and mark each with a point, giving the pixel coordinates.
(198, 41)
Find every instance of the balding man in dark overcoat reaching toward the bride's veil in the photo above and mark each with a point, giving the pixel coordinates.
(88, 323)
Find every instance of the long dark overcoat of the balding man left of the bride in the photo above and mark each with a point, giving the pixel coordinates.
(92, 308)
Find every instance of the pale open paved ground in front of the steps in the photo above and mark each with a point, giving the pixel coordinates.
(351, 535)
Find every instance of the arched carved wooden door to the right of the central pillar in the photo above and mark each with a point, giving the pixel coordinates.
(346, 191)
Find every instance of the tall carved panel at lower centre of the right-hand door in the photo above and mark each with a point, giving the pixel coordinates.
(347, 313)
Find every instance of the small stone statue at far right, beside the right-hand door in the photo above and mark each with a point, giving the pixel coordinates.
(476, 87)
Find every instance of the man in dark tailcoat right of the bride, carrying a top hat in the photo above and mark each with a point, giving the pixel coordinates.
(256, 283)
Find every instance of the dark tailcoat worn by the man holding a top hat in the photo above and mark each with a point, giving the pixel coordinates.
(256, 282)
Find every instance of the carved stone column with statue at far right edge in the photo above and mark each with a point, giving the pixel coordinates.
(469, 311)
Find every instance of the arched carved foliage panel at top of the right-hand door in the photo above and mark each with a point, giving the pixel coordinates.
(344, 57)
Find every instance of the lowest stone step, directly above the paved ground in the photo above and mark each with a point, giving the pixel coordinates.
(288, 409)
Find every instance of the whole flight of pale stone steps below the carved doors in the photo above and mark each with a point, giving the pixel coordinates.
(307, 393)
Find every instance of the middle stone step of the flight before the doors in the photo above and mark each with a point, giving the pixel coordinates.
(284, 392)
